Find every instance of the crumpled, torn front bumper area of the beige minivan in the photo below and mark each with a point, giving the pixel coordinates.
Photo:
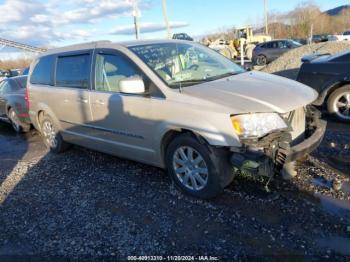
(270, 154)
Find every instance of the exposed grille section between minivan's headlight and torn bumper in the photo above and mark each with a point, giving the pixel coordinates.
(296, 120)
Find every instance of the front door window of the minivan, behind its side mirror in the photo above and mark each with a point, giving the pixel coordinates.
(110, 69)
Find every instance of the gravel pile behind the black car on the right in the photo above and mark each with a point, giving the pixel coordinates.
(289, 63)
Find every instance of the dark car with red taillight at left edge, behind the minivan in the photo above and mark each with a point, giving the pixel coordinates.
(14, 103)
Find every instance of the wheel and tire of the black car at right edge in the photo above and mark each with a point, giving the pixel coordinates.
(338, 103)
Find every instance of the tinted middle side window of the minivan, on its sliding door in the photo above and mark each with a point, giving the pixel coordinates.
(73, 71)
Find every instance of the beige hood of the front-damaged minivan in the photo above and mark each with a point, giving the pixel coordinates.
(253, 92)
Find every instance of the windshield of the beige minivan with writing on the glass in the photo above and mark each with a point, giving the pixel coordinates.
(185, 64)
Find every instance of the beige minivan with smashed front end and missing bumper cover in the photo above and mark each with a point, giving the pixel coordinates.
(176, 105)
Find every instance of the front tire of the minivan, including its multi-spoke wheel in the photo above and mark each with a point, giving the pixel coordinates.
(196, 168)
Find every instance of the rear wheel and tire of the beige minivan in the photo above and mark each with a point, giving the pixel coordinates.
(51, 136)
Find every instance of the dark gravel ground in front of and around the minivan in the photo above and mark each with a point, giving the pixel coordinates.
(83, 203)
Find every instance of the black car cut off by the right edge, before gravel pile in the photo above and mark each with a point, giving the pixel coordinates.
(329, 75)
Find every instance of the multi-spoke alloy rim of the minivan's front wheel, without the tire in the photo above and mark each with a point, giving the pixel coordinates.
(190, 168)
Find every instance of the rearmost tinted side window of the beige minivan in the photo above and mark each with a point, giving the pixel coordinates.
(42, 72)
